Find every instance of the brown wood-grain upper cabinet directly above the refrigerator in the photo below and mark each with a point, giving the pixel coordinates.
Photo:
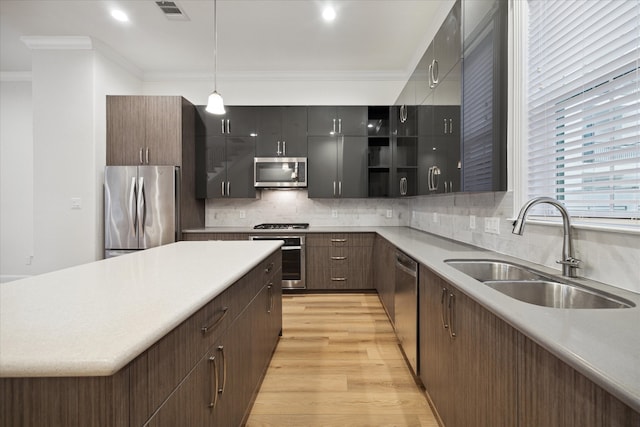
(144, 130)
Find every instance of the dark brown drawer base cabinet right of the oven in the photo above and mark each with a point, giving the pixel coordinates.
(339, 261)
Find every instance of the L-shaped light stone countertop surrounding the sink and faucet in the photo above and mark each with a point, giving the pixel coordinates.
(602, 344)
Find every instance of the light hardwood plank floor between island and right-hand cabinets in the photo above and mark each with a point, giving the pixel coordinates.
(338, 364)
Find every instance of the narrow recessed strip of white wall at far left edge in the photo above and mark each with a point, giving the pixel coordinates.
(16, 178)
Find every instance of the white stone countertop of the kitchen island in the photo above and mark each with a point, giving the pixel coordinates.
(93, 319)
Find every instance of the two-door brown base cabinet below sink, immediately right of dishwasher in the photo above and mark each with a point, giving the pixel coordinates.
(467, 357)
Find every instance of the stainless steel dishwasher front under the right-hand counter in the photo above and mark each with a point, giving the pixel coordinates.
(406, 307)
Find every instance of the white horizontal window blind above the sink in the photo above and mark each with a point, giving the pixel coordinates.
(584, 105)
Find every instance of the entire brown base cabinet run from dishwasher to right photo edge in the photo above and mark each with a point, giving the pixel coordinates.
(478, 370)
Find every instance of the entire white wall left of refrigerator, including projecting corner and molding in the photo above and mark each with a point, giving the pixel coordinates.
(53, 149)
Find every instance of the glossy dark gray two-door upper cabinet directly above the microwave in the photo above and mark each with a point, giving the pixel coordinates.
(282, 132)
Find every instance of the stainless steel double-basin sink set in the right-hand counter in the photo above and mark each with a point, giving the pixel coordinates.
(533, 287)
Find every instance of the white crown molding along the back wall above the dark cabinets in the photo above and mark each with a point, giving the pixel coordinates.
(295, 76)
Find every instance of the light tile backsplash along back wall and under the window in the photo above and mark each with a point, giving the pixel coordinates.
(609, 257)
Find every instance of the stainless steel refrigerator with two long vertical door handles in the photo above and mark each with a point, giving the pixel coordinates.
(141, 207)
